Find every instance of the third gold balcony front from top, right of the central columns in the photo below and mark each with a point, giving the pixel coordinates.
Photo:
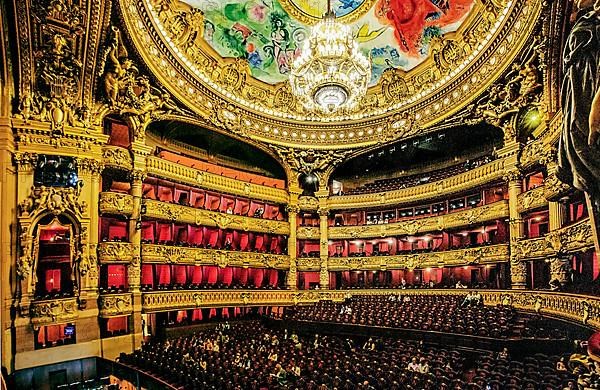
(461, 257)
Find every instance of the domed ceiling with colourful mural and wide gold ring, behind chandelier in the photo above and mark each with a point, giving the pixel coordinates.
(229, 61)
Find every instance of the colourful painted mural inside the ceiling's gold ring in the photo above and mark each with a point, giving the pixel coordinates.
(394, 33)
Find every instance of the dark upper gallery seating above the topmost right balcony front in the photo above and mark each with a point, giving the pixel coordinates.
(399, 183)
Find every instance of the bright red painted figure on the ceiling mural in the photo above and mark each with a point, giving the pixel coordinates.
(417, 21)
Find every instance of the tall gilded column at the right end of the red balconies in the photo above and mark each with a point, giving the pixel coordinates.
(518, 271)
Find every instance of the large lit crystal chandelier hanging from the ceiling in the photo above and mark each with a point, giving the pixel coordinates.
(331, 74)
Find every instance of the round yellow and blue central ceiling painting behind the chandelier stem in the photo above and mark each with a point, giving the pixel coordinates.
(311, 11)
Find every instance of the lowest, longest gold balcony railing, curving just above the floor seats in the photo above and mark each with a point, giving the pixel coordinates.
(575, 308)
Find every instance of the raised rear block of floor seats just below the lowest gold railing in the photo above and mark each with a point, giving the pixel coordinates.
(439, 313)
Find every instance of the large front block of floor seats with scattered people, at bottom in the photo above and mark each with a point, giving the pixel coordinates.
(248, 355)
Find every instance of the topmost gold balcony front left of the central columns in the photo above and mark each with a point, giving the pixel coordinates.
(210, 181)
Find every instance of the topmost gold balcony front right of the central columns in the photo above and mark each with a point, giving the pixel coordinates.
(465, 181)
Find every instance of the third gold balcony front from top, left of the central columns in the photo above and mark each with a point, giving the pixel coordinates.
(185, 255)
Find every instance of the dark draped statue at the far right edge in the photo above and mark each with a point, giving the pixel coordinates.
(579, 149)
